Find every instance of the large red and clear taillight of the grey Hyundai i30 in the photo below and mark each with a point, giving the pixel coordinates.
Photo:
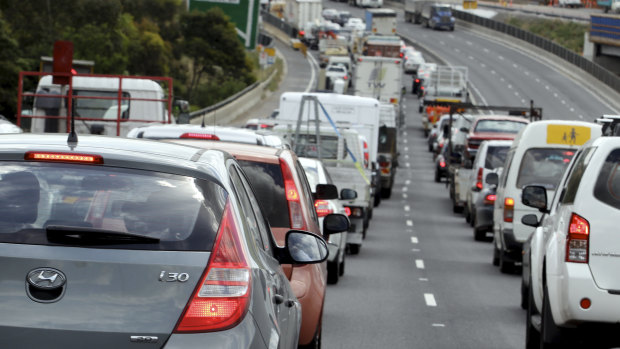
(222, 297)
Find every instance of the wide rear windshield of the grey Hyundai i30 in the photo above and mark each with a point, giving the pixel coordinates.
(43, 203)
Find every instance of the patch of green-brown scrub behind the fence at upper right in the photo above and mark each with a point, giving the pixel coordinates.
(564, 33)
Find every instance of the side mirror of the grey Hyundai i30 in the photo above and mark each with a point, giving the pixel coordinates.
(304, 247)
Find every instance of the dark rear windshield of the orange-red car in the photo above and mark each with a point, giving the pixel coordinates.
(268, 184)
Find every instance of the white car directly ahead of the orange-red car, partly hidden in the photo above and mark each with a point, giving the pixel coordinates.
(336, 243)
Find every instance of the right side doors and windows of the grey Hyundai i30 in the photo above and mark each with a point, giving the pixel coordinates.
(281, 302)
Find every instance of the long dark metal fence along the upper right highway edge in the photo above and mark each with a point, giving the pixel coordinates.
(596, 70)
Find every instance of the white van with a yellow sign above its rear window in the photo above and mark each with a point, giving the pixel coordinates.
(538, 156)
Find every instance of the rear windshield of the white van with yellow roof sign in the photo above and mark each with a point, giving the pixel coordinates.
(543, 166)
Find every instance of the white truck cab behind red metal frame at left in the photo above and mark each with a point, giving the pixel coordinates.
(98, 106)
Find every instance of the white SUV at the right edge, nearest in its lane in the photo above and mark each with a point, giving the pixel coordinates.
(572, 288)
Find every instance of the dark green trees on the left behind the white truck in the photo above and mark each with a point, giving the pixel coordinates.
(200, 51)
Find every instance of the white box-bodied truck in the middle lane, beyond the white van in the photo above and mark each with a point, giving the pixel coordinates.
(380, 78)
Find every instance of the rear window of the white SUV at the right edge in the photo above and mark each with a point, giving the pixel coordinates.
(607, 188)
